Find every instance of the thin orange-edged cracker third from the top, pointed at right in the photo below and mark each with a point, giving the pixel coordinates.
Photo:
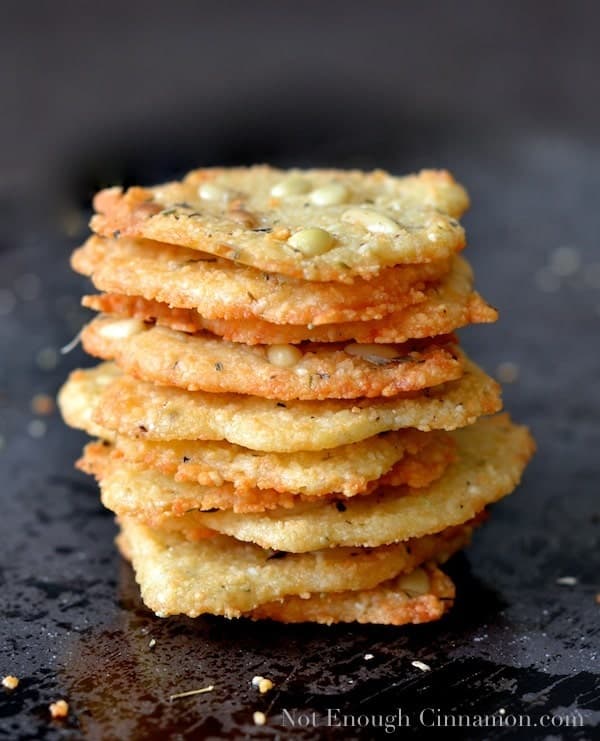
(445, 307)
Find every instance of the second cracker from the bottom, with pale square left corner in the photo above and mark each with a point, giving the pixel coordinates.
(223, 576)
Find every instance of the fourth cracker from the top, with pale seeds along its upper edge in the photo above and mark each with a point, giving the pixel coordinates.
(204, 362)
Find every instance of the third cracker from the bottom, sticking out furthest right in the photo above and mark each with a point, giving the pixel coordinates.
(491, 457)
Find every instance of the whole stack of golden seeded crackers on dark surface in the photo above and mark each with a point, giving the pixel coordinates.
(287, 427)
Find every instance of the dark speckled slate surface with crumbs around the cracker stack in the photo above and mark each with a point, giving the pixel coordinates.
(73, 624)
